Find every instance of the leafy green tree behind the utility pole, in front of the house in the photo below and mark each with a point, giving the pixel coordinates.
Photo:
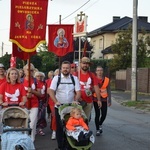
(122, 50)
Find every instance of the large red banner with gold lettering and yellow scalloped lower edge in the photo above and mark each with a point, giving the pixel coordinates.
(28, 23)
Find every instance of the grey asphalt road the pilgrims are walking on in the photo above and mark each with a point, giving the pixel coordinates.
(124, 128)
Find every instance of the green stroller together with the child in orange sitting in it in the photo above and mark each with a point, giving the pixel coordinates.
(76, 137)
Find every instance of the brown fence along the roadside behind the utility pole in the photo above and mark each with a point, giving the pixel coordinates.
(123, 80)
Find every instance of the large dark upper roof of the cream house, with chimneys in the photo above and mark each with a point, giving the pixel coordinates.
(120, 24)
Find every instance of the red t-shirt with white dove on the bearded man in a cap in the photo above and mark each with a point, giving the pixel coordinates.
(87, 81)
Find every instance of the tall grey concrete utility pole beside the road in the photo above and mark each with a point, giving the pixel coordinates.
(134, 53)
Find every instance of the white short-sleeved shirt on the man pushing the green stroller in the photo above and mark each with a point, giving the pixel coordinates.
(65, 92)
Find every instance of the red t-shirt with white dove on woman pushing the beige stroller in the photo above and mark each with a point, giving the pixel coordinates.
(12, 93)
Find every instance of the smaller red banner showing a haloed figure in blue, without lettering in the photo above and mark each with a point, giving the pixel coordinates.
(60, 39)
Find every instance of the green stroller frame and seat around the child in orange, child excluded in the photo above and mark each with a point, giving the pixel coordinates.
(72, 144)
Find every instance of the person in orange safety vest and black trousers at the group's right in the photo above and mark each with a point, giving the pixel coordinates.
(105, 92)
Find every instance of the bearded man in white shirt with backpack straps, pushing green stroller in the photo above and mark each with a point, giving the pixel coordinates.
(65, 92)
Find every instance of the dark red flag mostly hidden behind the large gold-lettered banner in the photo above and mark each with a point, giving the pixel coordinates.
(17, 52)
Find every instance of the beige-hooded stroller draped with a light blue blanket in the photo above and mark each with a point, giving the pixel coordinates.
(15, 130)
